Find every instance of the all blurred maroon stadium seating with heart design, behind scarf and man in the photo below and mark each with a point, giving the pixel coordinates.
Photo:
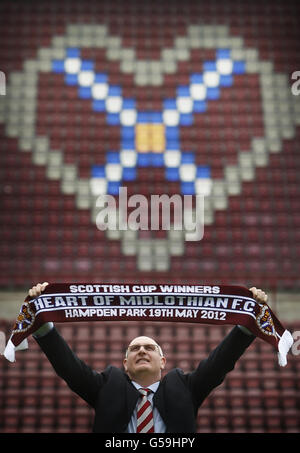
(242, 148)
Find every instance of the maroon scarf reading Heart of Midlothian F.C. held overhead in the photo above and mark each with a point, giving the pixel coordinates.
(203, 304)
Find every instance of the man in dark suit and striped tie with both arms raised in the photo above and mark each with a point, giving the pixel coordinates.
(171, 403)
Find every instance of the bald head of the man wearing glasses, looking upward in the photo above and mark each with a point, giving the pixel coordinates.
(144, 361)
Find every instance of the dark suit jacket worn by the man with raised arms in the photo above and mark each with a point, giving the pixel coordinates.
(114, 397)
